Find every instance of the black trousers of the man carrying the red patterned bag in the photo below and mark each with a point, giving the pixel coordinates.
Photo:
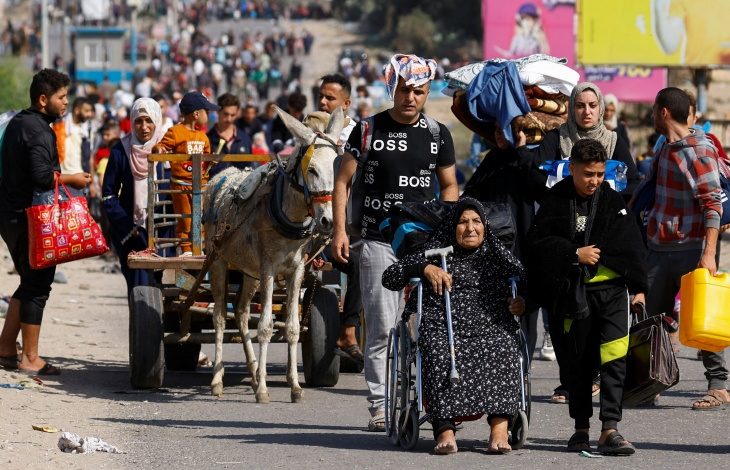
(35, 284)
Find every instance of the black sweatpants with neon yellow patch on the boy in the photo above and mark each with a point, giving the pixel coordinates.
(601, 338)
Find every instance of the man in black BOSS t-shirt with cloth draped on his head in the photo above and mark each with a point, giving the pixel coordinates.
(402, 164)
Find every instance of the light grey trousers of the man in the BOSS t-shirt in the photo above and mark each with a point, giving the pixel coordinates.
(380, 307)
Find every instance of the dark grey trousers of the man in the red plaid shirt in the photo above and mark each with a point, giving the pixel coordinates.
(666, 269)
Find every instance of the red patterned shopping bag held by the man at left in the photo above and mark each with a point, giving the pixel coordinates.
(63, 231)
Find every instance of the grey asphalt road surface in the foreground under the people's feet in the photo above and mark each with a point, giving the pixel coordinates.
(184, 426)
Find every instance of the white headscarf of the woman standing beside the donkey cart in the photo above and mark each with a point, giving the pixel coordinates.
(138, 151)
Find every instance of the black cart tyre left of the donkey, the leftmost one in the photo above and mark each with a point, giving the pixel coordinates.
(146, 358)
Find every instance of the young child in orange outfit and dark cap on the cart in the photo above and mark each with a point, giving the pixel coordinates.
(184, 137)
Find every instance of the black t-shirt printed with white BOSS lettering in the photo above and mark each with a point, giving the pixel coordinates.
(400, 166)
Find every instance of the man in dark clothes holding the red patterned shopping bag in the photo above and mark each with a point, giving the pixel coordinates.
(30, 165)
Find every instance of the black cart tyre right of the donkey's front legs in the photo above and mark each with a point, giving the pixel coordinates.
(321, 364)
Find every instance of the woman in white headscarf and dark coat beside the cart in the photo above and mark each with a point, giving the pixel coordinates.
(124, 191)
